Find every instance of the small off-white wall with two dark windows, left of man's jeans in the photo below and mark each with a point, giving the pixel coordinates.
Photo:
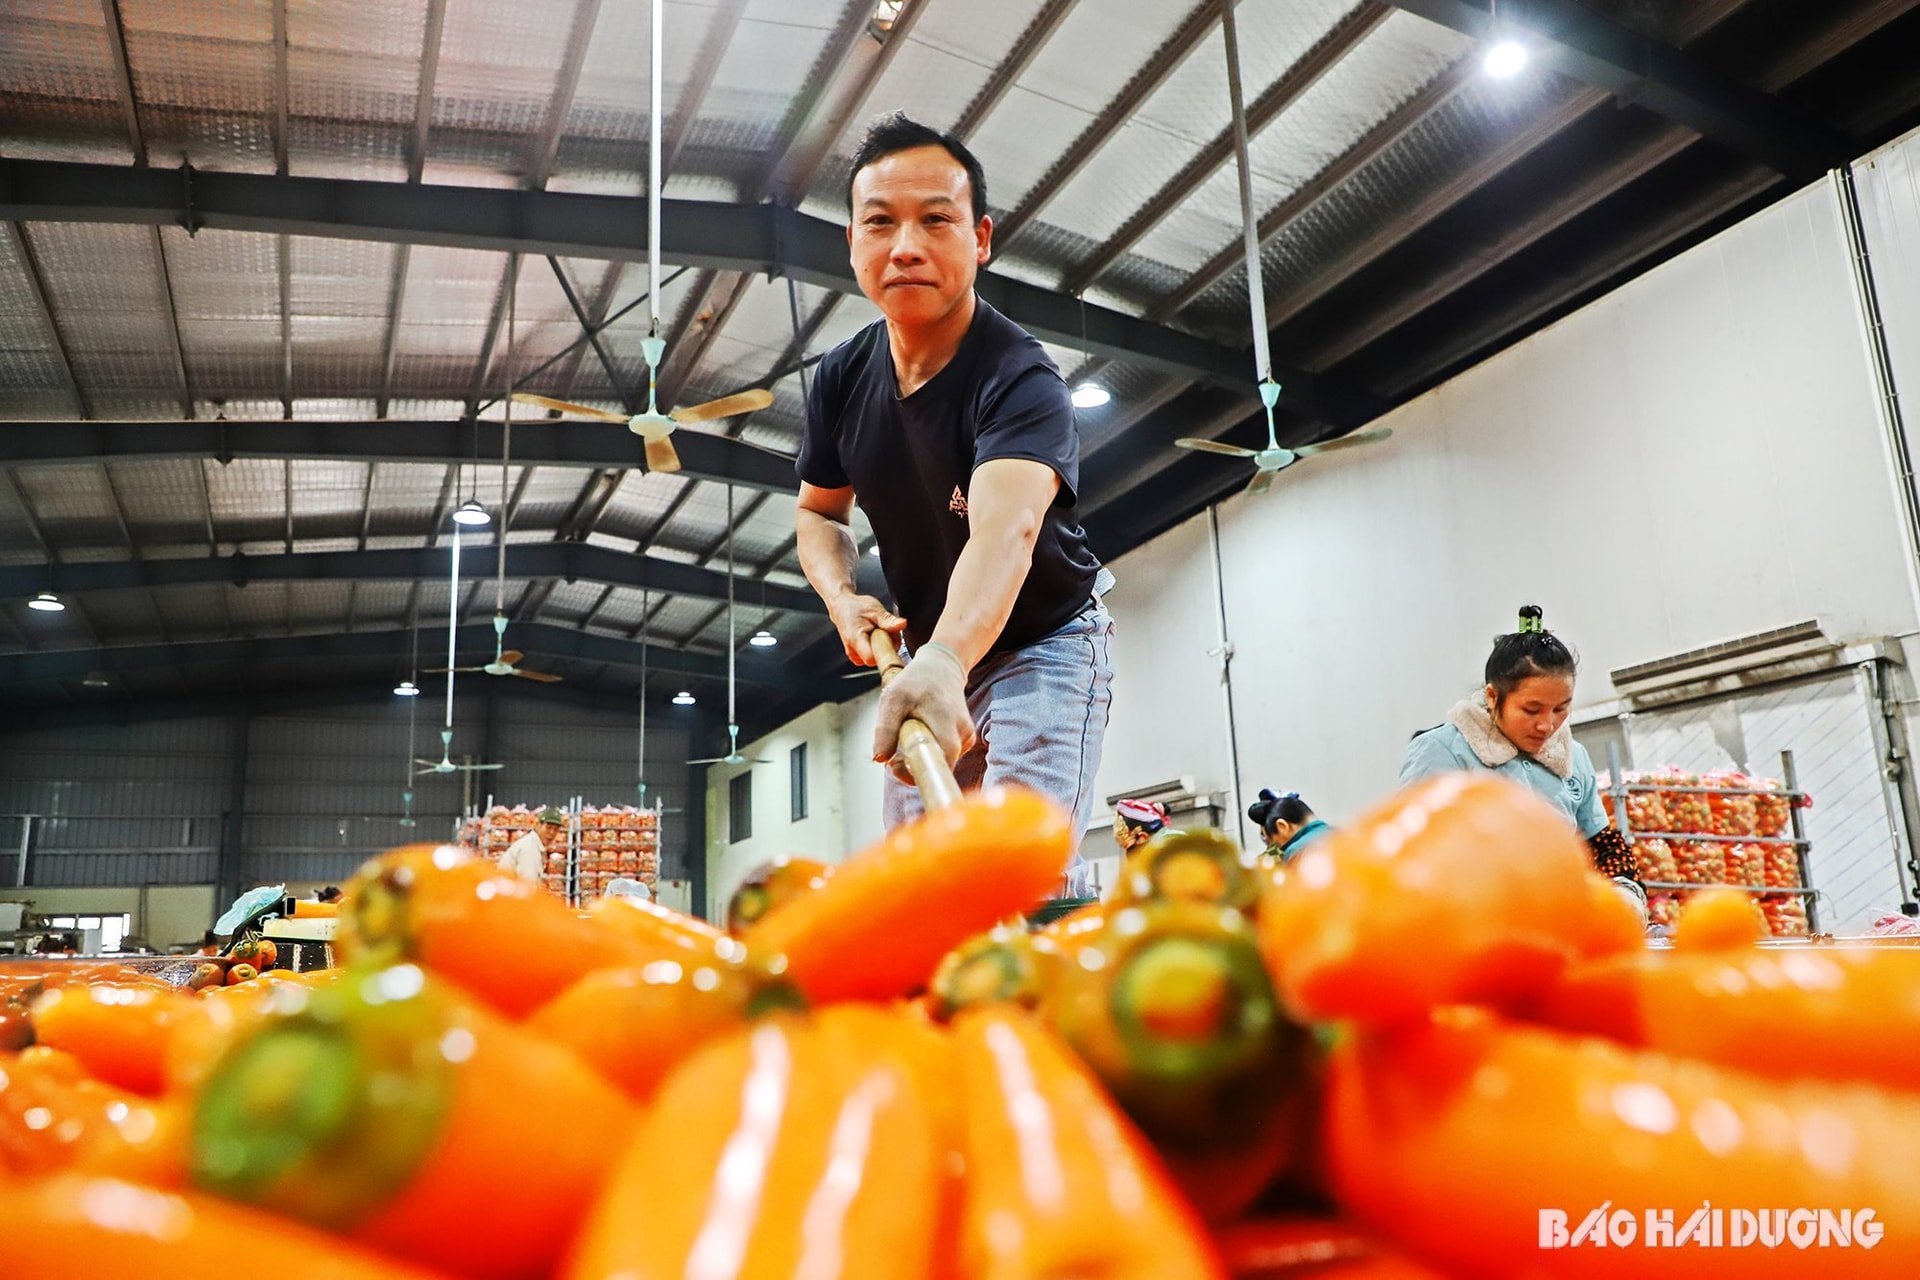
(819, 836)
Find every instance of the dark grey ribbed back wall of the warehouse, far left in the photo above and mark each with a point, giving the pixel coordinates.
(145, 803)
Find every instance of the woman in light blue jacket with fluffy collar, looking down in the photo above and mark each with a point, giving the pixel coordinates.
(1518, 728)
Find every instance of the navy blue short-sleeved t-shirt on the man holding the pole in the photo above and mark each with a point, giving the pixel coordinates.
(911, 463)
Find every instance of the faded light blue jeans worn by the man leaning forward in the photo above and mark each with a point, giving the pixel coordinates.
(1042, 719)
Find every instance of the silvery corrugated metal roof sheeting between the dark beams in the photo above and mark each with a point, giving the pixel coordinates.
(204, 82)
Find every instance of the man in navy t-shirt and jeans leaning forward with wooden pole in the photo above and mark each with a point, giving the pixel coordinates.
(955, 433)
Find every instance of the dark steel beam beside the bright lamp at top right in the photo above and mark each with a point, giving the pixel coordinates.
(1589, 47)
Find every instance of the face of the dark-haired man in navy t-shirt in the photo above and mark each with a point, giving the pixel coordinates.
(913, 239)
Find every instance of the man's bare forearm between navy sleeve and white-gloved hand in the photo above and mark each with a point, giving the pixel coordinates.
(1007, 504)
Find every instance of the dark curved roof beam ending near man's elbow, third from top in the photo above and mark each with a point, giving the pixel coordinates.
(565, 561)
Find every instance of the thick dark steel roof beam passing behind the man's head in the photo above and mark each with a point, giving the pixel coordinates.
(723, 237)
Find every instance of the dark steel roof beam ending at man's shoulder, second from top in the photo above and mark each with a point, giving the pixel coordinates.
(544, 442)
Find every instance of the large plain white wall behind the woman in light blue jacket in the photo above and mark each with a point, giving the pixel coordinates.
(1689, 460)
